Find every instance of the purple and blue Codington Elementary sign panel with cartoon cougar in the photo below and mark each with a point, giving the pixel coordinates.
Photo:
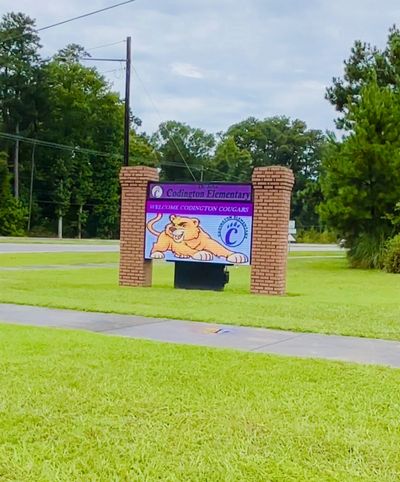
(199, 222)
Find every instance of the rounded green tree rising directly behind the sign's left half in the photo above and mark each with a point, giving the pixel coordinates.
(184, 151)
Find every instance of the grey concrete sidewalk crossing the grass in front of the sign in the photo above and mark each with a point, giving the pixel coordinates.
(345, 348)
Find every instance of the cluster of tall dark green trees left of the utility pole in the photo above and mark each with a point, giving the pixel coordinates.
(78, 122)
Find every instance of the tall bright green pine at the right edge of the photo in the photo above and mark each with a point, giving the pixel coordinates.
(360, 174)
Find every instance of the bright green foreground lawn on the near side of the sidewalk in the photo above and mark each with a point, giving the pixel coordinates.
(84, 407)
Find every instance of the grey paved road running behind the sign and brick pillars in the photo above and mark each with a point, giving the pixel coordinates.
(13, 248)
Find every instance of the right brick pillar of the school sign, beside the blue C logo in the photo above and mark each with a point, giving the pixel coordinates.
(272, 190)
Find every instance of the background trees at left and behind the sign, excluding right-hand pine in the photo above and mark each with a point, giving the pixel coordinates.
(62, 132)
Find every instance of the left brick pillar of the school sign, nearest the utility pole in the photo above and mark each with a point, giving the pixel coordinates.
(134, 270)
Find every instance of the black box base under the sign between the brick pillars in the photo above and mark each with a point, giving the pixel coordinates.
(200, 276)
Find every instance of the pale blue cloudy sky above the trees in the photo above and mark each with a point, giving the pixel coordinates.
(213, 63)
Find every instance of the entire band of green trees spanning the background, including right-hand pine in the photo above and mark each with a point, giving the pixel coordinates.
(61, 137)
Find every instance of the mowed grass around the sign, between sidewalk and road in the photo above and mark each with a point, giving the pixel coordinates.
(324, 295)
